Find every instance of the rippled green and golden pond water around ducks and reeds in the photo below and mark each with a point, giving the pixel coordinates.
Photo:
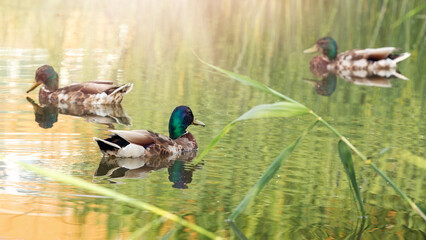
(154, 44)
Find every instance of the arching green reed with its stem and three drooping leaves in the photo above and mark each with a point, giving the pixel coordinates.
(290, 108)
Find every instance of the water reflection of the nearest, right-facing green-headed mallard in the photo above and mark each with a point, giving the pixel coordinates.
(131, 168)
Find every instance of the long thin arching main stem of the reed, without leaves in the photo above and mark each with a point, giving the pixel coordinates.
(251, 82)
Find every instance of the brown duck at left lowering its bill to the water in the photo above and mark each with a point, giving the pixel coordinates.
(87, 93)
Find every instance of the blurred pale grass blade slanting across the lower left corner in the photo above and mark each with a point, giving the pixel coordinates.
(117, 196)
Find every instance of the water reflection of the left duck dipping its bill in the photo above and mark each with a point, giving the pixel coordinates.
(47, 114)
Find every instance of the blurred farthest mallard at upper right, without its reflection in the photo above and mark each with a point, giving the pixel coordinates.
(358, 62)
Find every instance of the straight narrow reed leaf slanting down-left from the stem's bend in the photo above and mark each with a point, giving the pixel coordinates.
(268, 175)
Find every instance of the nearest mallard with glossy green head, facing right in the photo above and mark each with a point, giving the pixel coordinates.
(144, 143)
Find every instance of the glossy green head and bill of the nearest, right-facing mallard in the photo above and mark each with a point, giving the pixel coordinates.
(181, 118)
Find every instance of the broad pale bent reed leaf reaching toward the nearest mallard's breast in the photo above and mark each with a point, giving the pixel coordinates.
(274, 110)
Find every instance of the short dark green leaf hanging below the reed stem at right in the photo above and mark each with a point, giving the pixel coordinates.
(346, 158)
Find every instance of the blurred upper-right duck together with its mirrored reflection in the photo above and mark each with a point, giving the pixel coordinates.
(367, 67)
